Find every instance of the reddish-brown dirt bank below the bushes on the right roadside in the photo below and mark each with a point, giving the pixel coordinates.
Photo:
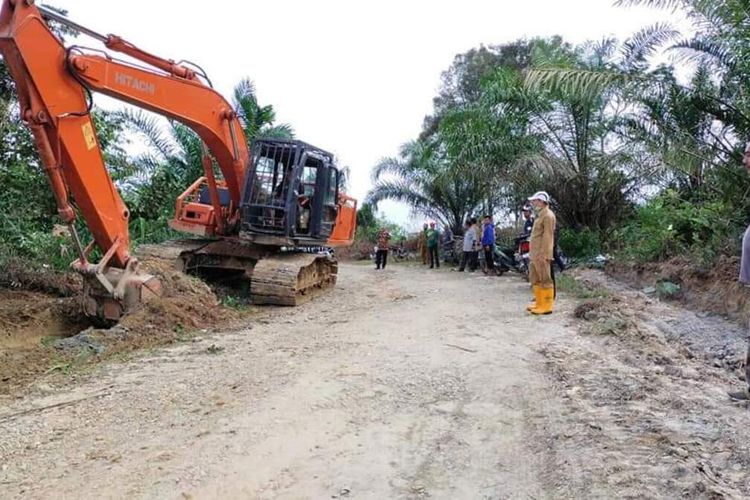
(712, 289)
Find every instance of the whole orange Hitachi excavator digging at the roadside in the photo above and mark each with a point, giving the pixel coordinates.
(259, 217)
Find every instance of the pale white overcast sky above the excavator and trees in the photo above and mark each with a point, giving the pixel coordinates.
(353, 77)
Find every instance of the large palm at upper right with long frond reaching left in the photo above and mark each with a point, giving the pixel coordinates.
(688, 132)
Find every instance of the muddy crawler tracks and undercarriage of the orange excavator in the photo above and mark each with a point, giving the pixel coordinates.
(282, 279)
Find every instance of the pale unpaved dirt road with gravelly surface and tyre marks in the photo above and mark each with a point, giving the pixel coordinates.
(400, 384)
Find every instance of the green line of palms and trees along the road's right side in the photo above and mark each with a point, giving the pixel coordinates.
(632, 150)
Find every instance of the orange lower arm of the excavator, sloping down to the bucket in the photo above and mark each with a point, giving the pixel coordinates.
(54, 106)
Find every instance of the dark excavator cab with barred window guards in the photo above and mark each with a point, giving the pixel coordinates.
(291, 194)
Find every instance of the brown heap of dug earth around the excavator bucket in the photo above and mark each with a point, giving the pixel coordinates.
(42, 333)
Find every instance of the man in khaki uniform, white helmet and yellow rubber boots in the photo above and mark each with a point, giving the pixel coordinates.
(541, 254)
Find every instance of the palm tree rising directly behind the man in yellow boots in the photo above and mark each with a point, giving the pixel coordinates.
(579, 160)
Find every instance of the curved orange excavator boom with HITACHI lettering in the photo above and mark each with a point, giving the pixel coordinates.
(175, 91)
